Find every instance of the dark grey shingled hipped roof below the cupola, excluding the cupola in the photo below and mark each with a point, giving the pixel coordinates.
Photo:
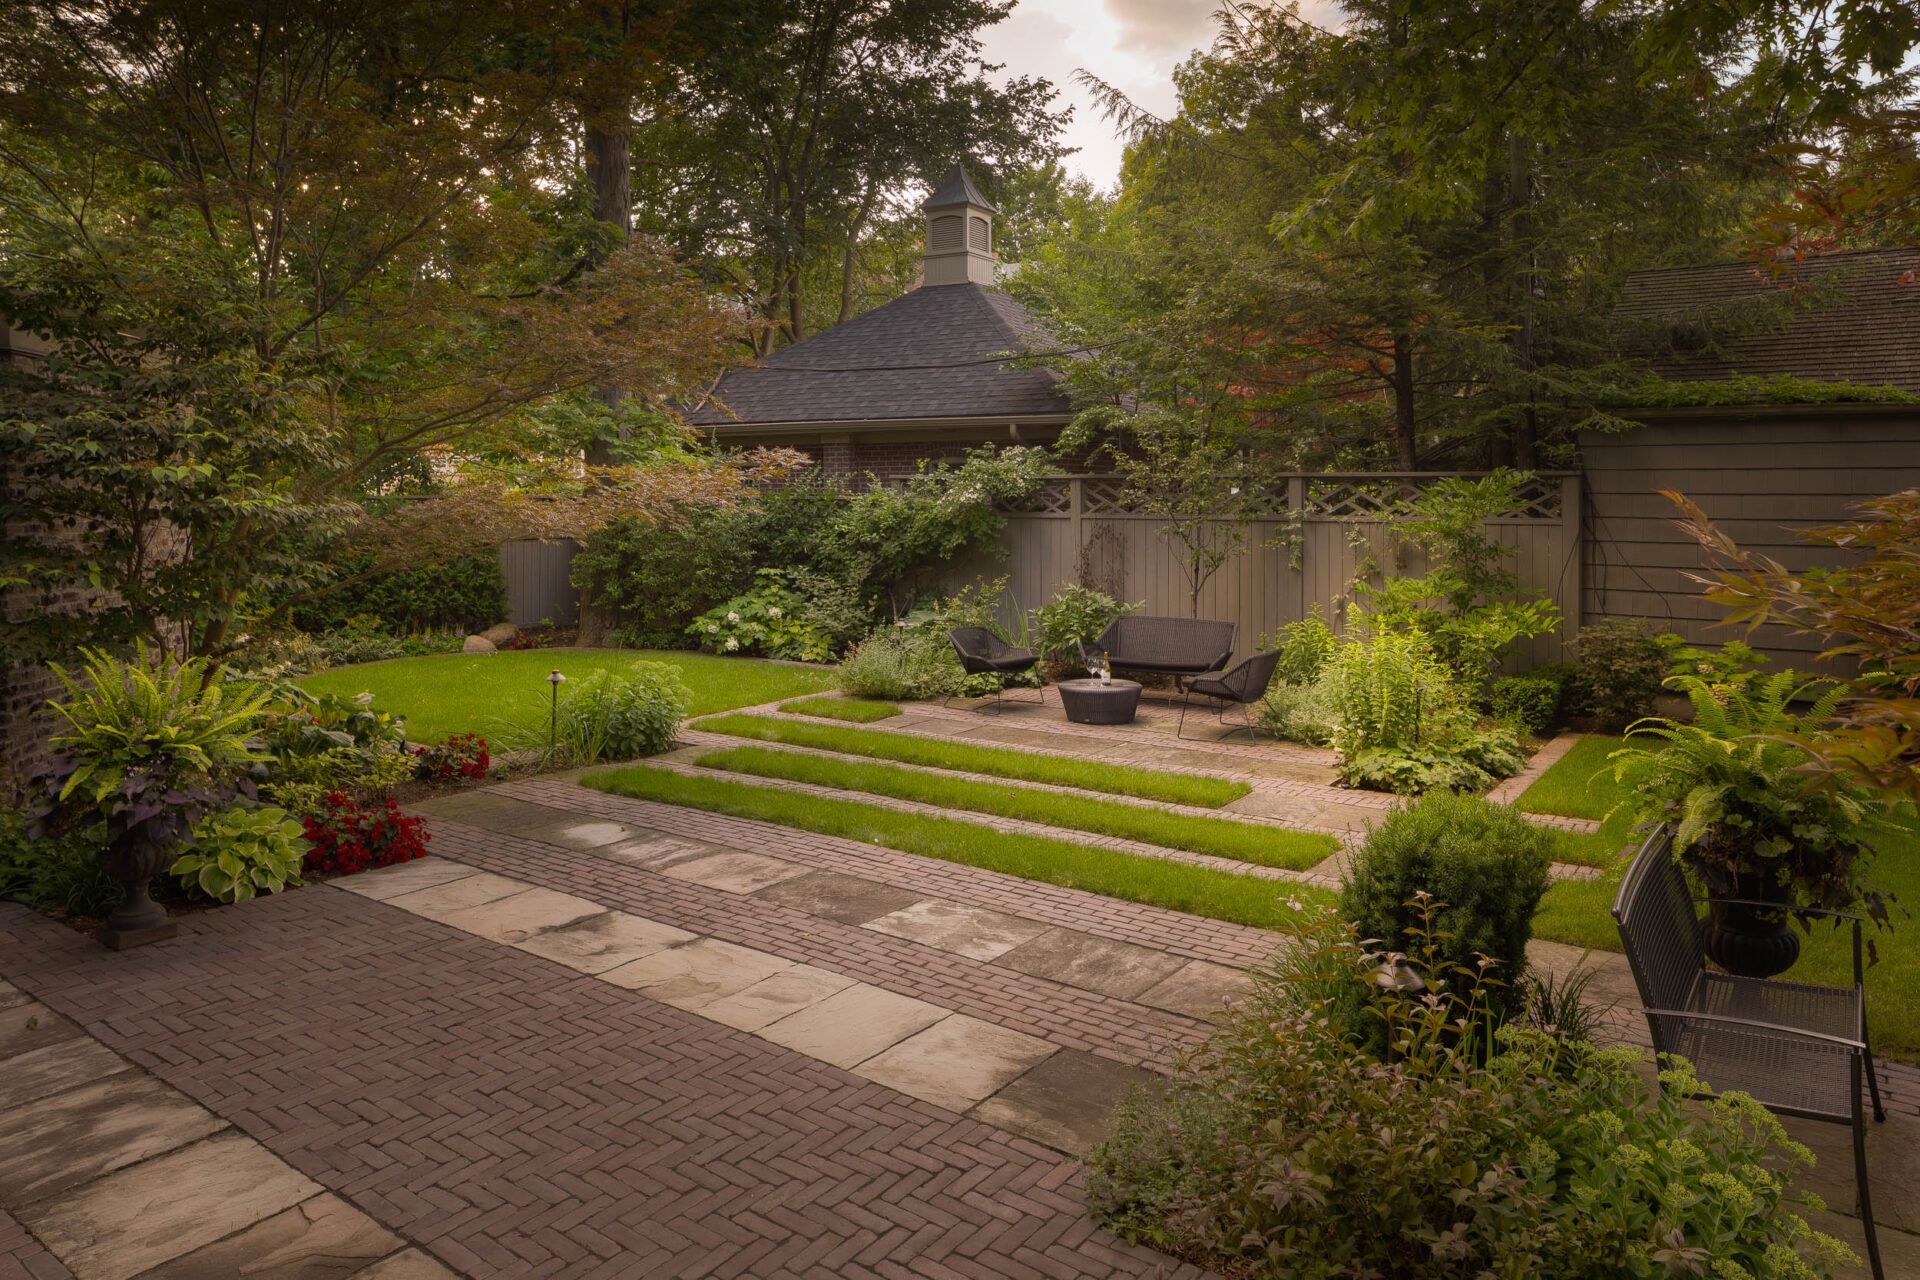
(921, 356)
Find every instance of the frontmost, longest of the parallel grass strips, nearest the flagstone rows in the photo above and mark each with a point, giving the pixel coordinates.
(1176, 886)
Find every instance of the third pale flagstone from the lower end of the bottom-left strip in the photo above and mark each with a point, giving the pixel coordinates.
(114, 1229)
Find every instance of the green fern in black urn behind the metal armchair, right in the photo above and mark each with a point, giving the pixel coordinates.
(1756, 822)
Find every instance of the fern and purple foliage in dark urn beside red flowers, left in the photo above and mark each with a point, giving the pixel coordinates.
(149, 747)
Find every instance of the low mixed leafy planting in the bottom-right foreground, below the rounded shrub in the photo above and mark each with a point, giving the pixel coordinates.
(1282, 1149)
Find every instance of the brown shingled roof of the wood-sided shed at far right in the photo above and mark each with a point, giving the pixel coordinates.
(1838, 318)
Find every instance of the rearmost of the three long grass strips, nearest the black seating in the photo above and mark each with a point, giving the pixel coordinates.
(1026, 767)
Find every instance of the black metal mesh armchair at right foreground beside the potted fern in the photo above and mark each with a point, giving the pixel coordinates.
(1794, 1047)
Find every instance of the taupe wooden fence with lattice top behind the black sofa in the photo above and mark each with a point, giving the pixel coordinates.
(1316, 533)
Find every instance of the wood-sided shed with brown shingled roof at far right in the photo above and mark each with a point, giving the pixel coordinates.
(1785, 450)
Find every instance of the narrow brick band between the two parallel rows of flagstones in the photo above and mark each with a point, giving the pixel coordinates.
(1072, 1018)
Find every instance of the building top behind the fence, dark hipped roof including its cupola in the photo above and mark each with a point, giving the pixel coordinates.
(923, 377)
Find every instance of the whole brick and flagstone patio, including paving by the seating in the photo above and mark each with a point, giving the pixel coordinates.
(606, 1037)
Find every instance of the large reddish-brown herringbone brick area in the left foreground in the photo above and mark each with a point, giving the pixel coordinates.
(525, 1122)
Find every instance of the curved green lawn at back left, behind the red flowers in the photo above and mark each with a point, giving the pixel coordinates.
(471, 694)
